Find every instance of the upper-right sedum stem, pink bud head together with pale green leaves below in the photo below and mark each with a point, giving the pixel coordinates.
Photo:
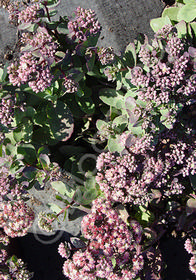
(157, 82)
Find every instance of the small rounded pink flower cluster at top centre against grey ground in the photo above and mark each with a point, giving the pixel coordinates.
(83, 24)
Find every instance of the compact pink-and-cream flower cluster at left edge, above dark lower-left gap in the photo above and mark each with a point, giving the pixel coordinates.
(15, 218)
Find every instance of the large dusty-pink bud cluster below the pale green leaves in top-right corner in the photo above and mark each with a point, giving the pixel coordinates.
(165, 79)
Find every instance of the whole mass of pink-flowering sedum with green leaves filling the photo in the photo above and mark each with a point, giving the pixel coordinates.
(53, 97)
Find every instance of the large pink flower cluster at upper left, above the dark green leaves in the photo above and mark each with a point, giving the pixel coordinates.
(34, 66)
